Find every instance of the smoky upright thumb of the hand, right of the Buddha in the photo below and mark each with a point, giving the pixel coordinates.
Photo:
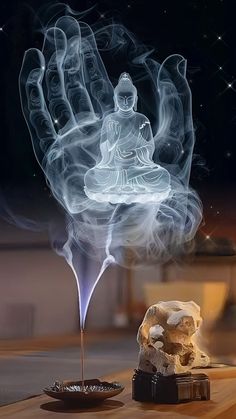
(175, 132)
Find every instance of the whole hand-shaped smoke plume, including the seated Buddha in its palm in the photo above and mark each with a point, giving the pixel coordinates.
(120, 185)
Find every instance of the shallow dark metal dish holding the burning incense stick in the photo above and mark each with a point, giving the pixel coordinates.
(93, 391)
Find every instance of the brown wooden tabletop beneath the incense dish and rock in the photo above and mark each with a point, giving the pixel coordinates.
(221, 406)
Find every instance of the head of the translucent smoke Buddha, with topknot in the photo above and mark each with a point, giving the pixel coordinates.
(125, 94)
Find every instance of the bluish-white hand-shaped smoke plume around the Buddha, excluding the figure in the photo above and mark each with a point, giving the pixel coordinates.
(66, 94)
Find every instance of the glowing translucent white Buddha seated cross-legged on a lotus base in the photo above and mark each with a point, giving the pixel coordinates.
(126, 172)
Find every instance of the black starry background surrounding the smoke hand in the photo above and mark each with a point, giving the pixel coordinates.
(203, 31)
